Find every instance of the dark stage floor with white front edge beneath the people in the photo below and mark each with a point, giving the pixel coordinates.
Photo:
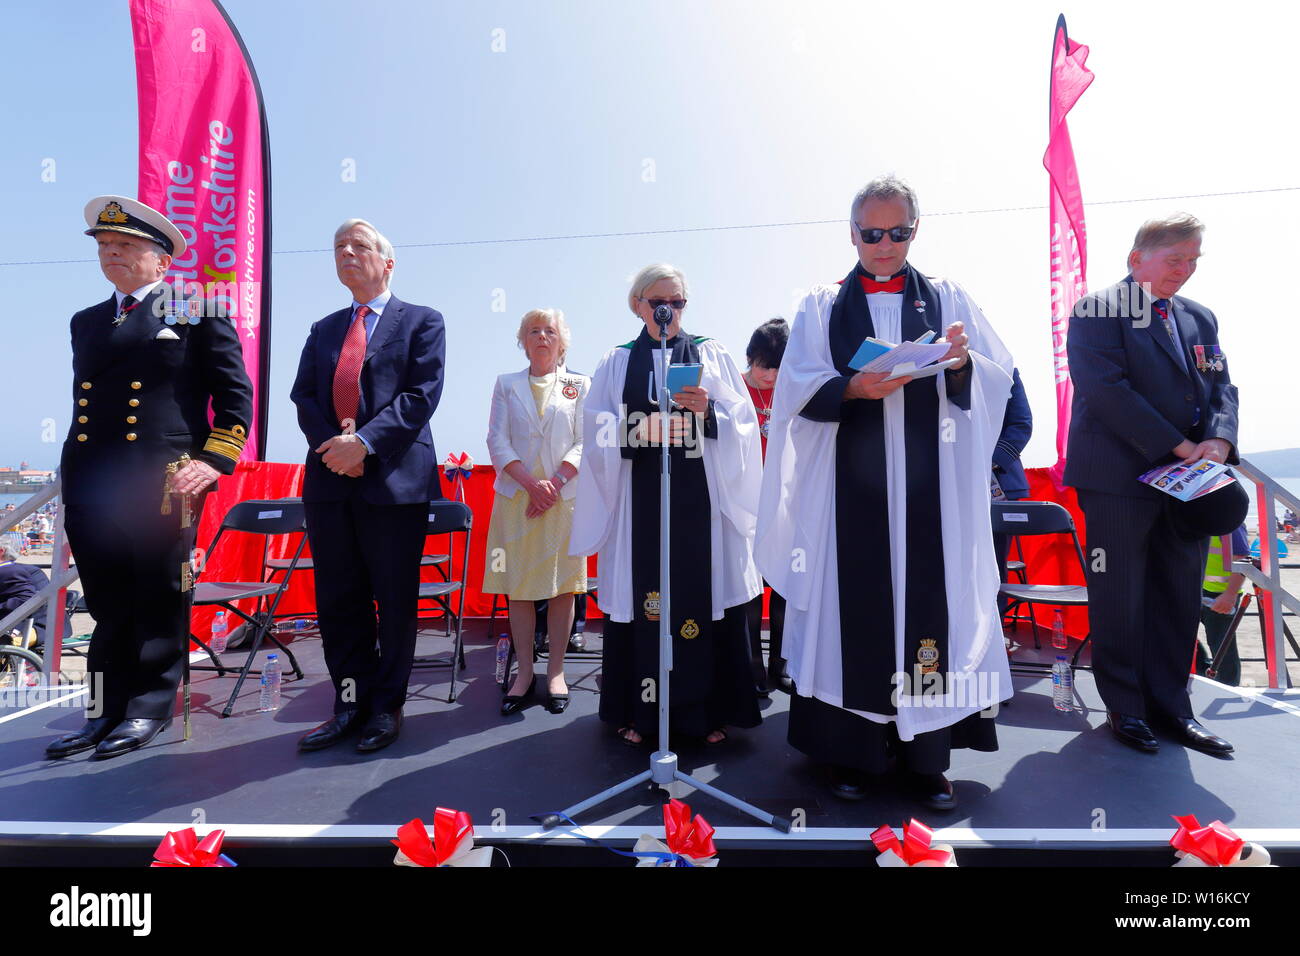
(1061, 790)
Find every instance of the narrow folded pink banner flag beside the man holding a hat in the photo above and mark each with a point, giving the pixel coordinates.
(1069, 233)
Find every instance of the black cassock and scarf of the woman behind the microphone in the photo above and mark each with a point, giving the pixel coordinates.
(712, 685)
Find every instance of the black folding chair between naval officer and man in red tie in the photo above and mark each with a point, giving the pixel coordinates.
(276, 517)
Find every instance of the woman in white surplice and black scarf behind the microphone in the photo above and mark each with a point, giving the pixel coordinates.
(716, 469)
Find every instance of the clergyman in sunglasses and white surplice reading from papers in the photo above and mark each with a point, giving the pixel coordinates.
(874, 518)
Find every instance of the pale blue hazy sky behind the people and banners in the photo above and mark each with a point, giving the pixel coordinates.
(746, 113)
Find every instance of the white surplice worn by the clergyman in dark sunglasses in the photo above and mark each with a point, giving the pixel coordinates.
(798, 537)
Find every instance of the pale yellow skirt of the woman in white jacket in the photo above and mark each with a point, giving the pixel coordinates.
(528, 557)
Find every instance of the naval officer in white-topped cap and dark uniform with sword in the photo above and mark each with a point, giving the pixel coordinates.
(138, 460)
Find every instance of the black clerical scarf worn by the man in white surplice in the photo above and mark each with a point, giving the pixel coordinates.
(865, 550)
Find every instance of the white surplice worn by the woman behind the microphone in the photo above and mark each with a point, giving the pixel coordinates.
(734, 466)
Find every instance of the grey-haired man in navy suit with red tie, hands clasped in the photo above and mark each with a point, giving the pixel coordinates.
(369, 383)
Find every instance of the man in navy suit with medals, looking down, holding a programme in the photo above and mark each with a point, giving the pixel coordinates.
(1151, 388)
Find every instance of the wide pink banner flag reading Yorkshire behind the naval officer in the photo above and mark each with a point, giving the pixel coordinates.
(206, 165)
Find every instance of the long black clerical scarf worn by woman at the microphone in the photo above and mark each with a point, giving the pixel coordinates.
(690, 531)
